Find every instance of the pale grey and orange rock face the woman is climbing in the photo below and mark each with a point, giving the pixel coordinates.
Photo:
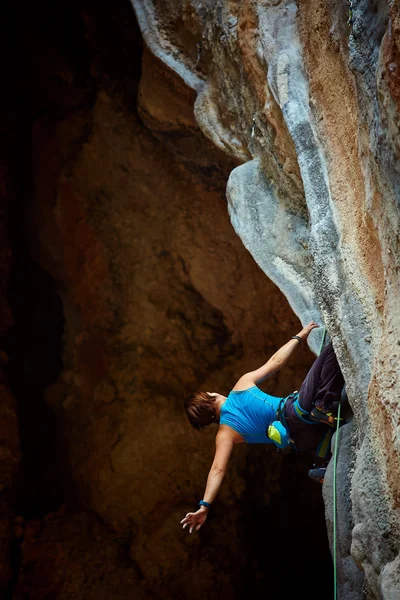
(305, 97)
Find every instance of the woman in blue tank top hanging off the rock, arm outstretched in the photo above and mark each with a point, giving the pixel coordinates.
(250, 415)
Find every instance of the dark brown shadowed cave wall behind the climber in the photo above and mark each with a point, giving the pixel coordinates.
(127, 216)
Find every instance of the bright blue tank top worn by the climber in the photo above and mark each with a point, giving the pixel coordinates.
(250, 412)
